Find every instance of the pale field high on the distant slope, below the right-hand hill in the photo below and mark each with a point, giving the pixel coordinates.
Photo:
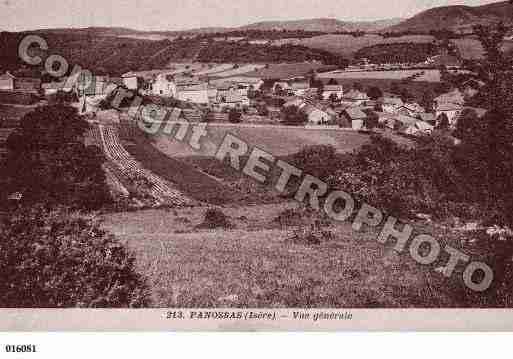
(348, 45)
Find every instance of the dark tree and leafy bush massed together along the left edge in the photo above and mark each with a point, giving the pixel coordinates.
(52, 254)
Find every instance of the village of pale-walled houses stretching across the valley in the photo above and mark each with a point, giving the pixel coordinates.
(307, 94)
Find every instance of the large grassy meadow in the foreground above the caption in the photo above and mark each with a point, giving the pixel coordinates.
(253, 264)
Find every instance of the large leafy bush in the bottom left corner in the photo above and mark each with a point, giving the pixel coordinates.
(57, 259)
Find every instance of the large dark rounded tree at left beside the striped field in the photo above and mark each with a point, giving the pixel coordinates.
(48, 162)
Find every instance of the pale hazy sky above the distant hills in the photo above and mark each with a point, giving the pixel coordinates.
(17, 15)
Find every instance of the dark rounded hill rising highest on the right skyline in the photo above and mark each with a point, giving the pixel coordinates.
(456, 18)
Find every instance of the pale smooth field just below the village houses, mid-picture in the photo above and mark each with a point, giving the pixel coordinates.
(277, 140)
